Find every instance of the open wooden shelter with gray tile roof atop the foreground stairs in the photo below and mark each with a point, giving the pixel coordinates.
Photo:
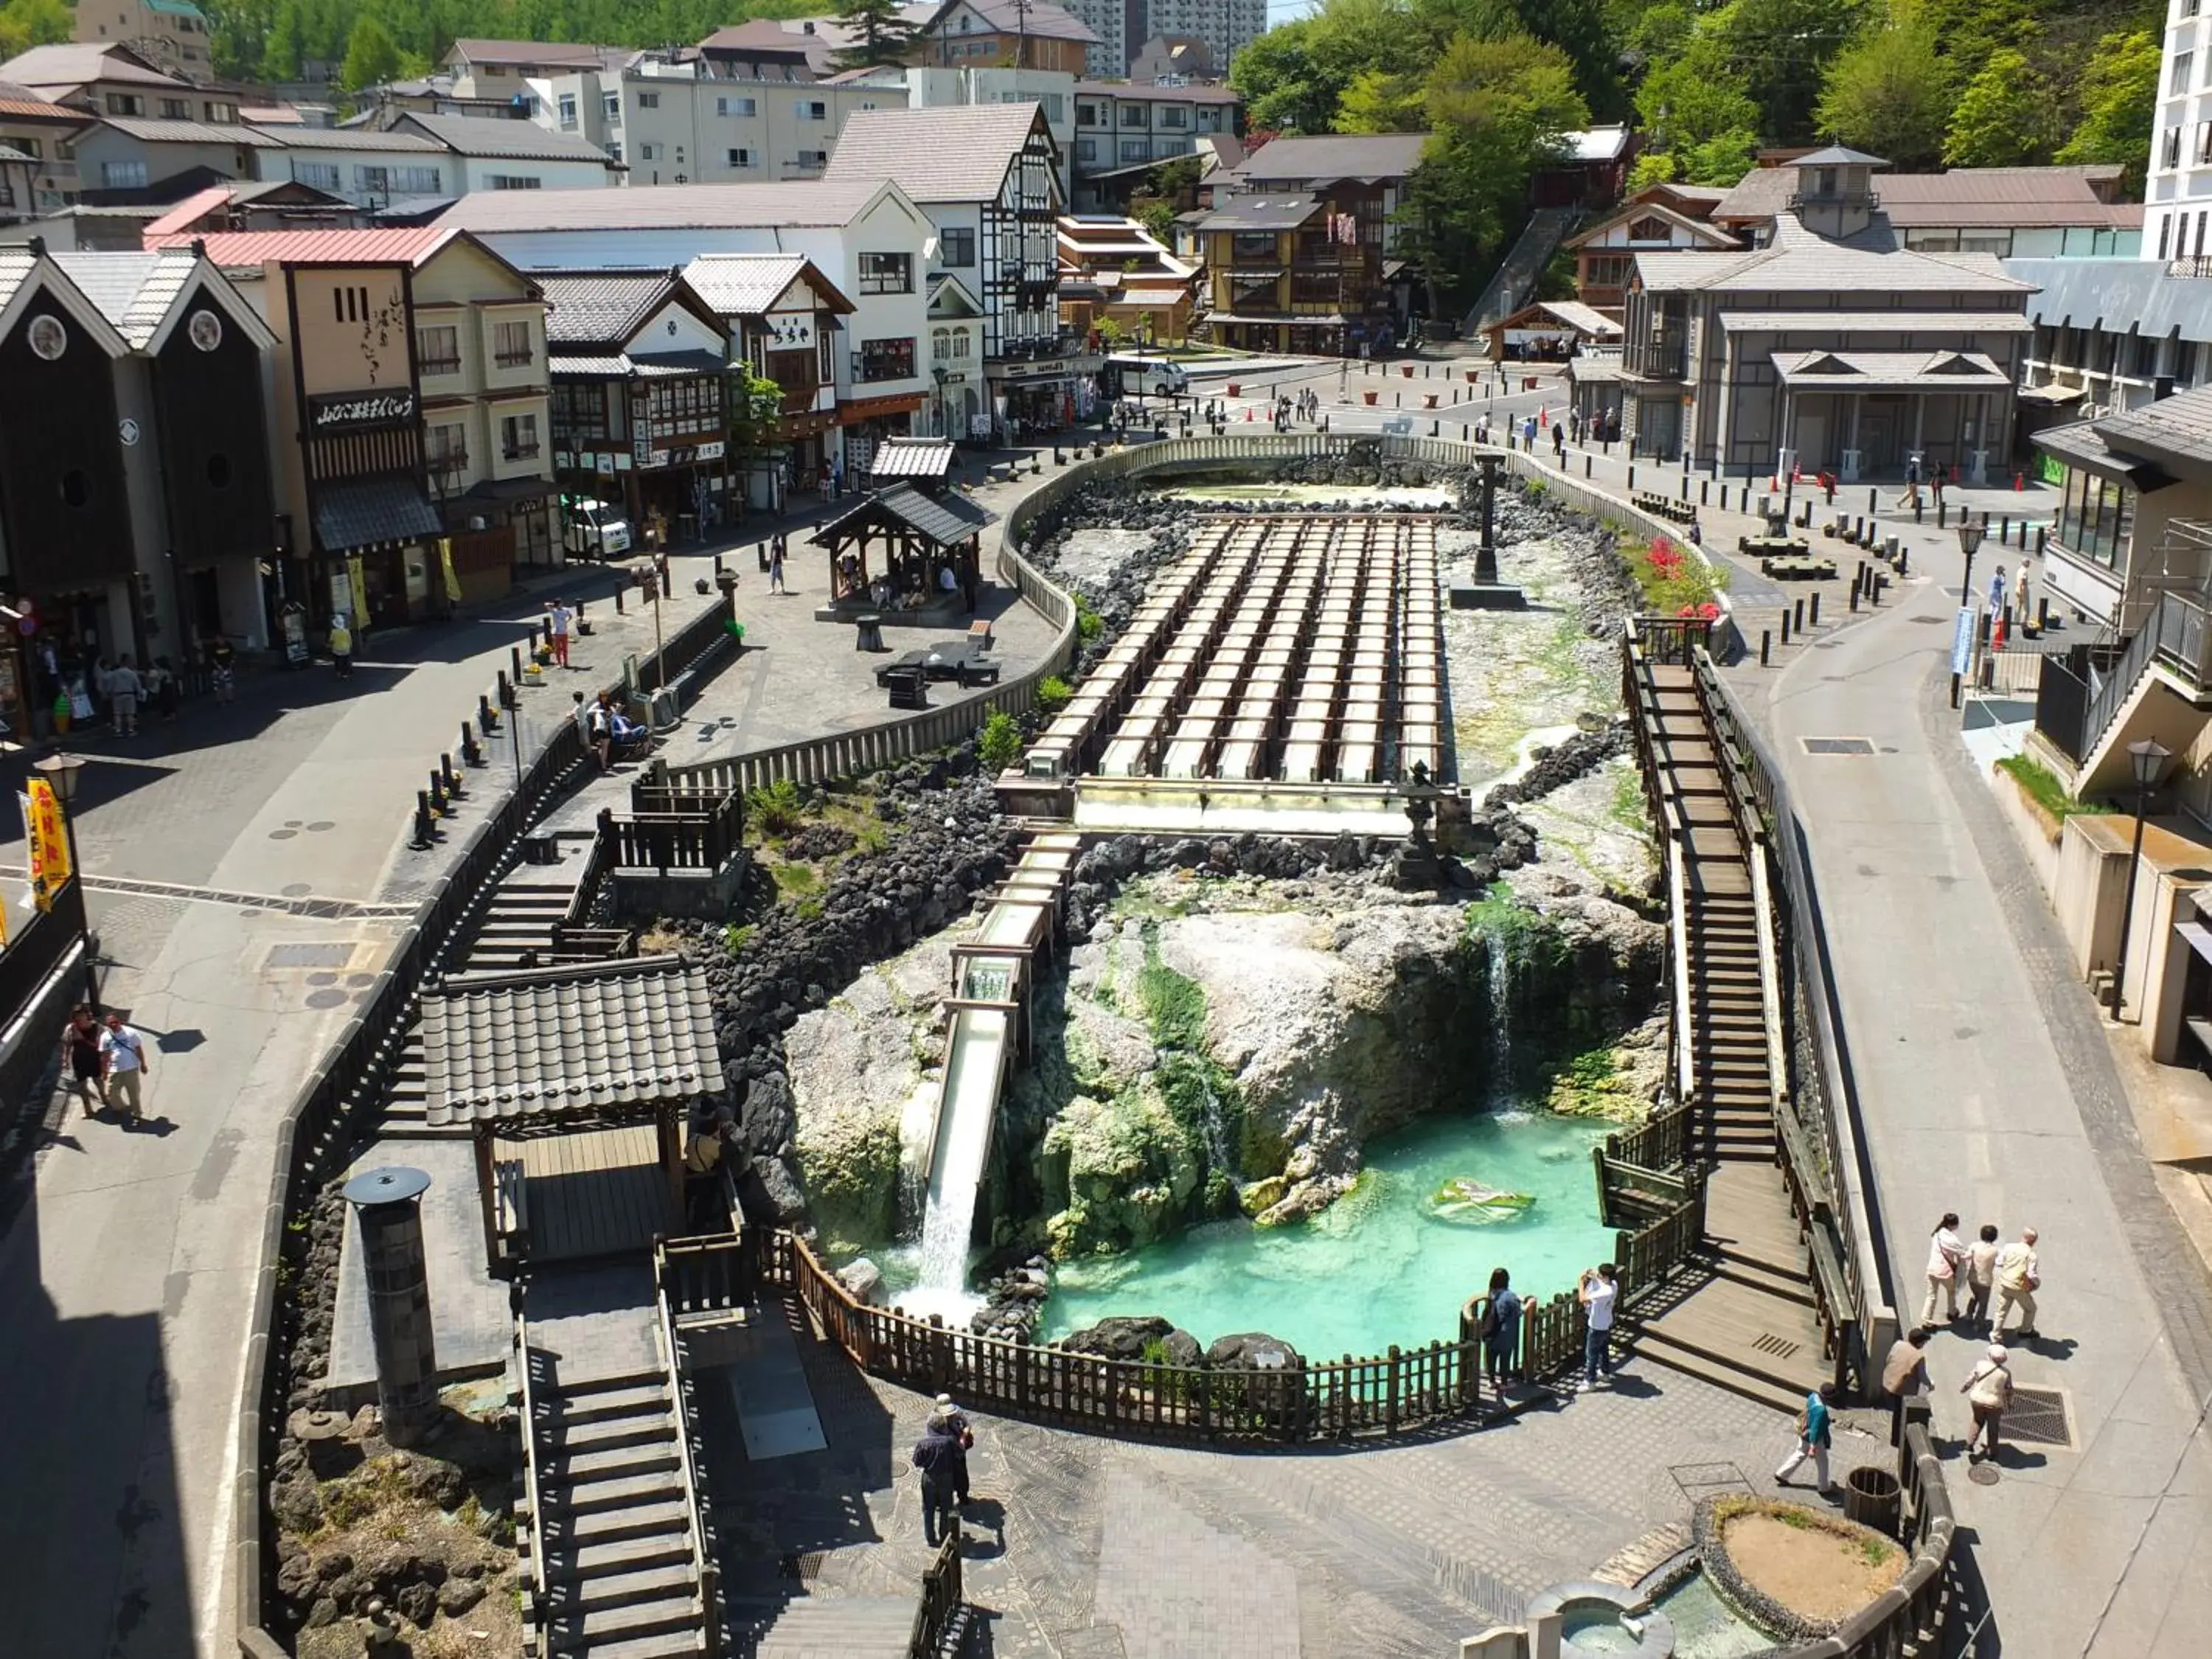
(576, 1087)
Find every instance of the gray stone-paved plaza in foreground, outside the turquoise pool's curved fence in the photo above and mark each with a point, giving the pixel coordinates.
(1083, 1545)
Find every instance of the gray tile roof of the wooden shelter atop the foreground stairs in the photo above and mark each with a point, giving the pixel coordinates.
(503, 1047)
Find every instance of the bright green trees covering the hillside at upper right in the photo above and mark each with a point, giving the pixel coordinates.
(1496, 83)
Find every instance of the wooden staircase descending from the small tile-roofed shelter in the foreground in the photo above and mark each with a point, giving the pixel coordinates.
(614, 1525)
